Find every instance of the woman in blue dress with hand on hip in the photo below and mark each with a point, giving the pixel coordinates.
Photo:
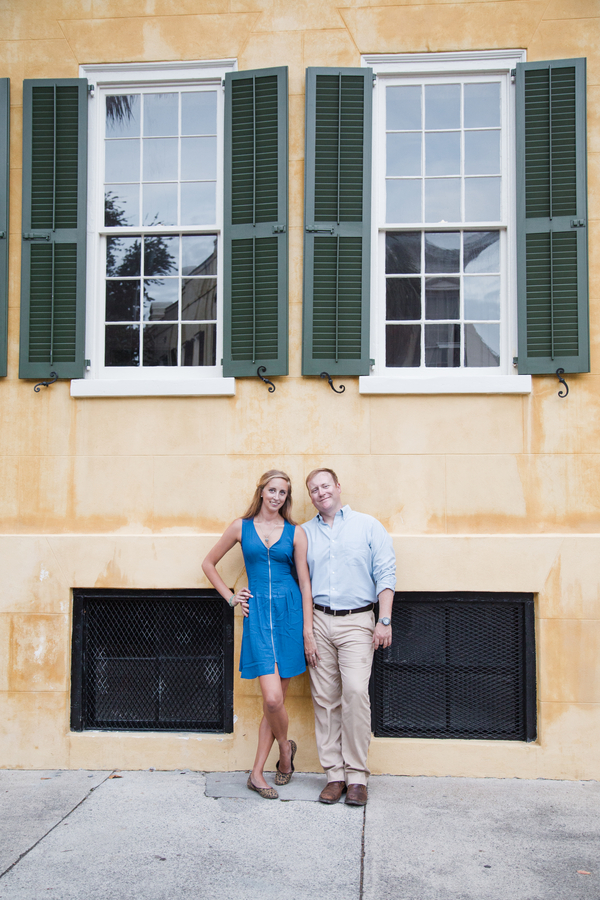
(273, 607)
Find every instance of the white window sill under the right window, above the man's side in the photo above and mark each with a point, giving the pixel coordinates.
(478, 384)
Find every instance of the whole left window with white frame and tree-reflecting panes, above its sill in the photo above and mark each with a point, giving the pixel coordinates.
(155, 184)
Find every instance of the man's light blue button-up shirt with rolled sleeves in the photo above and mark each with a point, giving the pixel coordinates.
(350, 563)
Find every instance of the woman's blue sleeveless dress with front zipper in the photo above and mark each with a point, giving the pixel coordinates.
(273, 628)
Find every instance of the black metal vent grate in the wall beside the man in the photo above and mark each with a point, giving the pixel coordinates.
(460, 666)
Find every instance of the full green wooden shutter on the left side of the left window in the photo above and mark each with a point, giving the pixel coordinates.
(54, 228)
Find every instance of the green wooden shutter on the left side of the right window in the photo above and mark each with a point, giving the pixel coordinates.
(337, 221)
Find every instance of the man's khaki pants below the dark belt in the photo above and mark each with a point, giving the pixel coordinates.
(340, 693)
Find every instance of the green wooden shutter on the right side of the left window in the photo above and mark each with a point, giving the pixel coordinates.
(255, 274)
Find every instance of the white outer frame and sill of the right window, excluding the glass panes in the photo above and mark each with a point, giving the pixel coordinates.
(388, 68)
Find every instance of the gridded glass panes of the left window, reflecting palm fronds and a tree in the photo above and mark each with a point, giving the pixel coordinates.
(160, 171)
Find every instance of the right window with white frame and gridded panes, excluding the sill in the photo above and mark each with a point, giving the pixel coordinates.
(443, 172)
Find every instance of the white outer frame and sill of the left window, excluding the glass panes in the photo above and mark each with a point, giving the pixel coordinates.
(100, 381)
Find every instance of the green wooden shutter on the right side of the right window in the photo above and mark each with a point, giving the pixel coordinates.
(552, 266)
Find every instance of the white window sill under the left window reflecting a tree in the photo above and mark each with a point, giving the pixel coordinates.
(200, 387)
